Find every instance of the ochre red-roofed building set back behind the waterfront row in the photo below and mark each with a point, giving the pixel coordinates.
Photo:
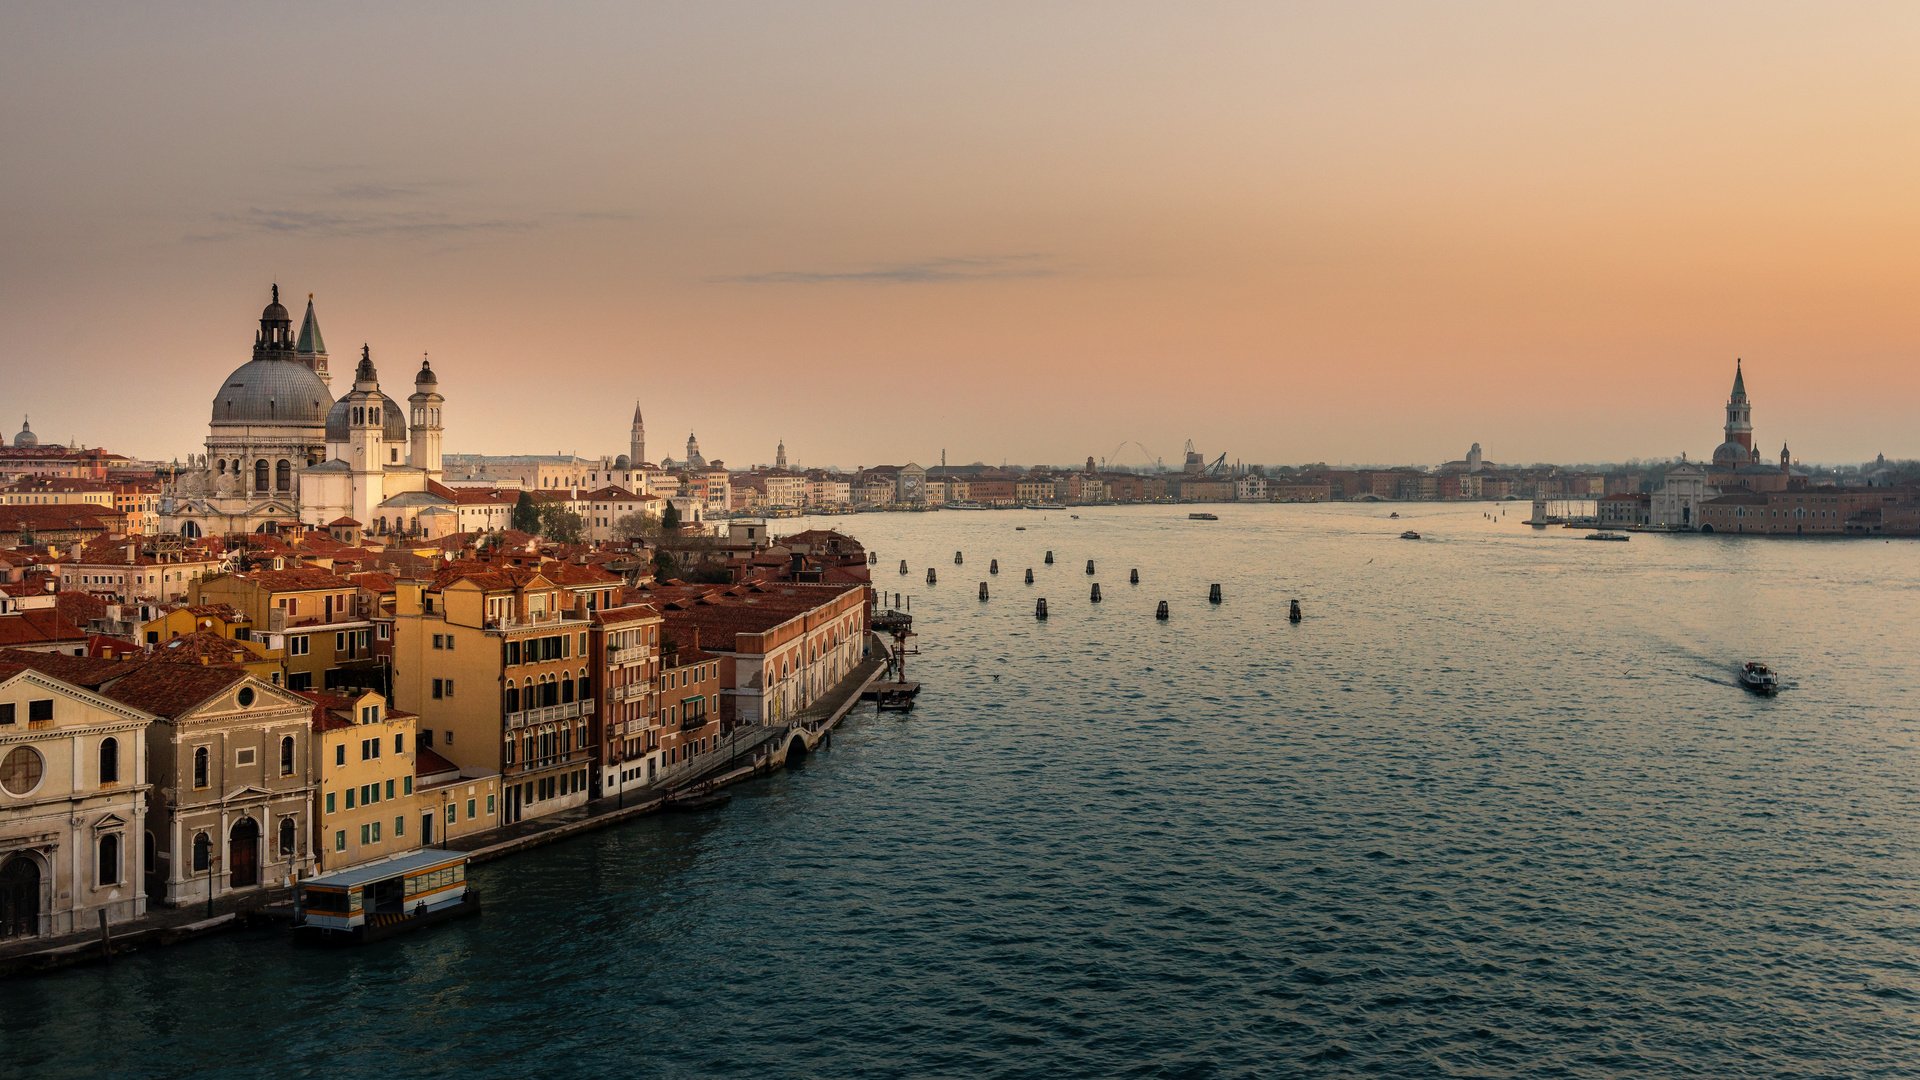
(314, 616)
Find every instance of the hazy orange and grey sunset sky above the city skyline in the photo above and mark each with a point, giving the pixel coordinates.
(1034, 233)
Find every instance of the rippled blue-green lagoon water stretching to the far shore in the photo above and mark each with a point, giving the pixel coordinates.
(1497, 808)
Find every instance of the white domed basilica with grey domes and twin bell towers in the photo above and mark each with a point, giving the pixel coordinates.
(281, 449)
